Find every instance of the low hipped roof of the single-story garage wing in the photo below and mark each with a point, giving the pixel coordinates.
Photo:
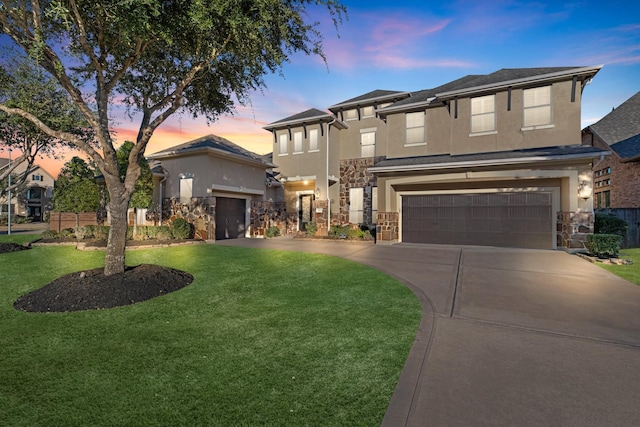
(213, 144)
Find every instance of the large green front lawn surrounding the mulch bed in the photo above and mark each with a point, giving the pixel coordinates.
(260, 337)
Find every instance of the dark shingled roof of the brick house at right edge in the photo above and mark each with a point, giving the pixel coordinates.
(620, 129)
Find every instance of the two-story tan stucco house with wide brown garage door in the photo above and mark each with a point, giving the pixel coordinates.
(484, 160)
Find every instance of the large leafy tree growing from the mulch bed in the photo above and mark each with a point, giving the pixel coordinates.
(157, 57)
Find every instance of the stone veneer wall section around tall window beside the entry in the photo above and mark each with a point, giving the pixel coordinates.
(354, 173)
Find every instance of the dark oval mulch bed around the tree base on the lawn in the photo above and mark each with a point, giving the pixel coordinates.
(92, 290)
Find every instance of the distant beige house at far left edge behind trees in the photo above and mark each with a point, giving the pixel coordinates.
(33, 198)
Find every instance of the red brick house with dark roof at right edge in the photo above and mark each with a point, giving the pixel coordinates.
(617, 177)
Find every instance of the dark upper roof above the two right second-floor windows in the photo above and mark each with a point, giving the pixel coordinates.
(474, 83)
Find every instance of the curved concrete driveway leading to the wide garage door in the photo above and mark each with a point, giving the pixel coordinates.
(508, 336)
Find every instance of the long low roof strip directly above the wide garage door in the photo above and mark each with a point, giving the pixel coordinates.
(530, 155)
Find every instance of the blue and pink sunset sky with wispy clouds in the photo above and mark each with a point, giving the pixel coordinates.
(415, 45)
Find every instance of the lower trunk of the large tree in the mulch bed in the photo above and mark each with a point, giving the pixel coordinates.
(114, 259)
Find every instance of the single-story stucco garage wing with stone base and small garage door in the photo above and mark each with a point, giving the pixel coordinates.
(213, 183)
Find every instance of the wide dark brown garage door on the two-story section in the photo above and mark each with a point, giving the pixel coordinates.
(520, 220)
